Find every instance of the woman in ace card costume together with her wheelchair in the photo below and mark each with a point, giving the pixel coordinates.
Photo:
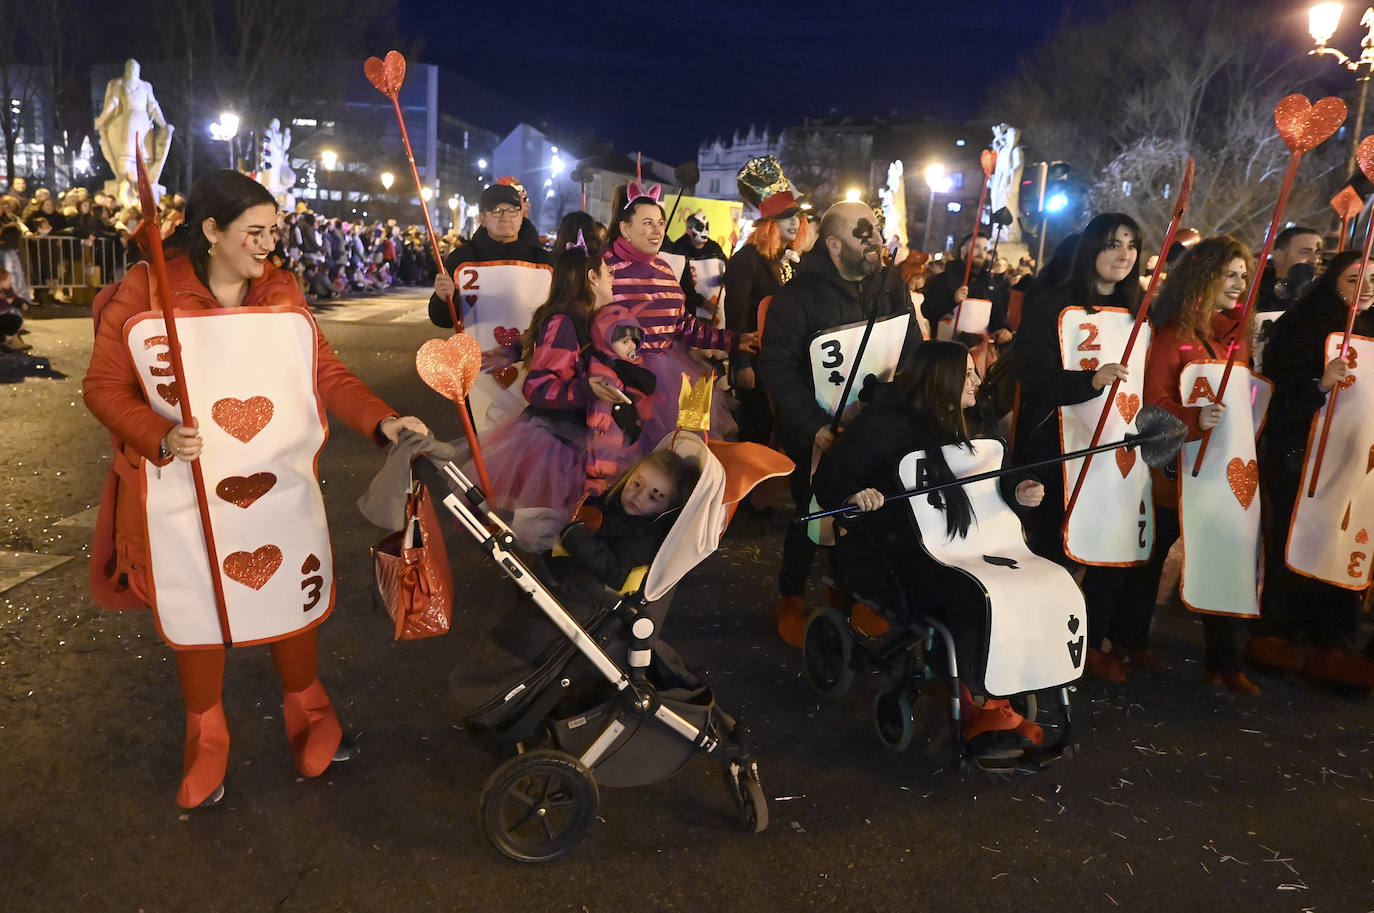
(934, 569)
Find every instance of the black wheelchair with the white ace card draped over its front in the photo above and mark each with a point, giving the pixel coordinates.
(1009, 624)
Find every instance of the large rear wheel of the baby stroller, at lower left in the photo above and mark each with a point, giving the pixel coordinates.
(539, 806)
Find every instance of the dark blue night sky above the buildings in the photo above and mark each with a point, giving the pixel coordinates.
(664, 78)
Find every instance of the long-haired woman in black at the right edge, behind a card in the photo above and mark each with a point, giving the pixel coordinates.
(1303, 611)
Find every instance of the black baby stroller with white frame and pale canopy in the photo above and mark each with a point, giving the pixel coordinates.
(576, 684)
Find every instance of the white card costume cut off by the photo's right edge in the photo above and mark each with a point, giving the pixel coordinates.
(1329, 538)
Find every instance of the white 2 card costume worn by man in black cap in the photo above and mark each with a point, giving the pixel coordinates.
(498, 300)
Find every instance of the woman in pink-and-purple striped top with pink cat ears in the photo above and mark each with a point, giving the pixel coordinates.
(645, 284)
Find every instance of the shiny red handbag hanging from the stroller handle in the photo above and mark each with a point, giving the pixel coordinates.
(413, 573)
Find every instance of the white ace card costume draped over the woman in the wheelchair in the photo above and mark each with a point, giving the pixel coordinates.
(1035, 615)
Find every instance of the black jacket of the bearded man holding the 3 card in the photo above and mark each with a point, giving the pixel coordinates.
(817, 299)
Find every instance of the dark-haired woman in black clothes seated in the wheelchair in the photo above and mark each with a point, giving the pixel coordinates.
(927, 408)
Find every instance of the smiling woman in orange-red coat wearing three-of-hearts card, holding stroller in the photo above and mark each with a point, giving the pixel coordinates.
(260, 379)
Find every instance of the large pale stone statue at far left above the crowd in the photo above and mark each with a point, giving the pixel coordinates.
(131, 116)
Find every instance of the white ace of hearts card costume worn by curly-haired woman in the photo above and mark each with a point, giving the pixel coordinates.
(1219, 512)
